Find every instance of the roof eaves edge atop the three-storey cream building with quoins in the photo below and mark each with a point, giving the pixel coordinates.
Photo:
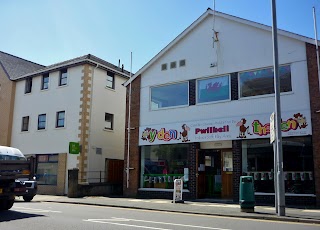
(86, 59)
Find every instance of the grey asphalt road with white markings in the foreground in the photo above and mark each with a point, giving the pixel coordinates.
(51, 216)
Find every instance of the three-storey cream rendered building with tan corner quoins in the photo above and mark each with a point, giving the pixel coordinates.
(80, 100)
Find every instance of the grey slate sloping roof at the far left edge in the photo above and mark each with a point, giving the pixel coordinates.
(15, 66)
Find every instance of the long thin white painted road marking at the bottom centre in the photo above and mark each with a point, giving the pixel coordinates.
(147, 221)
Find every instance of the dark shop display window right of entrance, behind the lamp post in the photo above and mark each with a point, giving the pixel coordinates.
(258, 161)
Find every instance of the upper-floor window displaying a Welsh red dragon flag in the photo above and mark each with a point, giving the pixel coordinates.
(213, 89)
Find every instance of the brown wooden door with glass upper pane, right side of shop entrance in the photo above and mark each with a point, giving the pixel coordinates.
(227, 177)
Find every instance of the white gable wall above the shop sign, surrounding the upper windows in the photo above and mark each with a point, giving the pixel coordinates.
(240, 47)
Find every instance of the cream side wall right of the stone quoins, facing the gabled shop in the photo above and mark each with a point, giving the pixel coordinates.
(106, 100)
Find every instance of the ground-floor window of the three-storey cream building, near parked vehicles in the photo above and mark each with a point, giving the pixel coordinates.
(47, 169)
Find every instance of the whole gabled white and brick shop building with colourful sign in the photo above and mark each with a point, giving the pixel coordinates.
(205, 103)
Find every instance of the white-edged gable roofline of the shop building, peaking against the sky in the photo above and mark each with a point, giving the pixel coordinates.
(211, 12)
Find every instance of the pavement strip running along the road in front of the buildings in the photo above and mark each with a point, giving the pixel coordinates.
(201, 207)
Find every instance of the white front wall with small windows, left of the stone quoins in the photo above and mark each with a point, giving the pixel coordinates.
(50, 140)
